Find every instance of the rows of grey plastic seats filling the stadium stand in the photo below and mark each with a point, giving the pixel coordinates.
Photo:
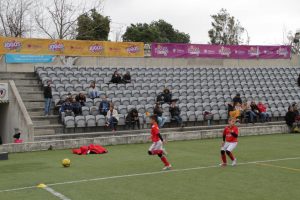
(198, 89)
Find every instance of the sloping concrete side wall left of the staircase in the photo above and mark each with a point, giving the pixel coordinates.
(15, 116)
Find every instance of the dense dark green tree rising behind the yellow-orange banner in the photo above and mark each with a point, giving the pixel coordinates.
(93, 26)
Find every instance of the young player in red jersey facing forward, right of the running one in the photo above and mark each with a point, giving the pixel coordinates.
(230, 140)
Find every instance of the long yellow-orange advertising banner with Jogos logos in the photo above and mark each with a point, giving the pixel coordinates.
(70, 47)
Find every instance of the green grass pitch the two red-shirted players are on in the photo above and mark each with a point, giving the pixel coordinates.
(251, 181)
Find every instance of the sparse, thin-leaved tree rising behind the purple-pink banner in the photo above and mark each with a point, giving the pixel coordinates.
(226, 30)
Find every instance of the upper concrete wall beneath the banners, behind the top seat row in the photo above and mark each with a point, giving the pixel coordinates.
(100, 61)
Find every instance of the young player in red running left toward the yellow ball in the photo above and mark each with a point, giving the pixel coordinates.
(157, 146)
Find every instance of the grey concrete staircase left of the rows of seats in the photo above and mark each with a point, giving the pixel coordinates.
(31, 93)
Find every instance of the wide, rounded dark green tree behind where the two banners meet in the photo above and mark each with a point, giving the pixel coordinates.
(157, 31)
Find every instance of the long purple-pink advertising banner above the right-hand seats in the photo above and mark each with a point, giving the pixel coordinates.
(172, 50)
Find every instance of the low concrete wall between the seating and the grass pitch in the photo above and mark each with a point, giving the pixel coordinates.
(138, 138)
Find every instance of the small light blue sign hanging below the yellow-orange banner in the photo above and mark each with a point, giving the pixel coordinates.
(24, 58)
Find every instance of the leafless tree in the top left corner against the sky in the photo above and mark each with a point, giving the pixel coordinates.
(14, 17)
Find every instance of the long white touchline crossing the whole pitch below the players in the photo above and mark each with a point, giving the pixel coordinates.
(147, 173)
